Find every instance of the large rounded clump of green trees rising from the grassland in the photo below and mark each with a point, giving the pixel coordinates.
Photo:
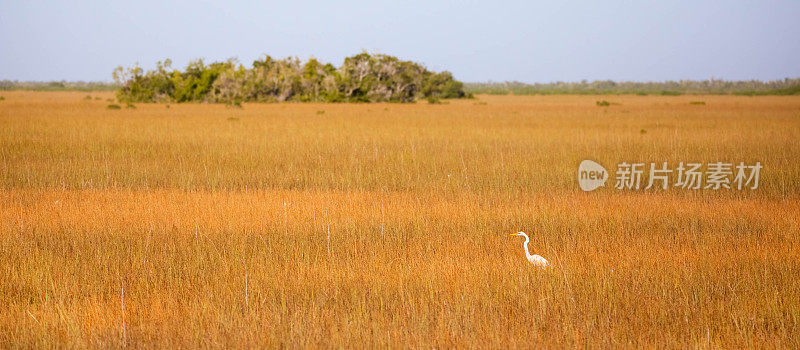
(361, 78)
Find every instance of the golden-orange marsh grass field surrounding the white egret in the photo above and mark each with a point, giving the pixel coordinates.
(387, 225)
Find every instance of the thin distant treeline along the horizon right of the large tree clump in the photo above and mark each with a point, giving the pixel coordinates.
(713, 86)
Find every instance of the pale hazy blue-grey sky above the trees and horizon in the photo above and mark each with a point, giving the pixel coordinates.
(529, 41)
